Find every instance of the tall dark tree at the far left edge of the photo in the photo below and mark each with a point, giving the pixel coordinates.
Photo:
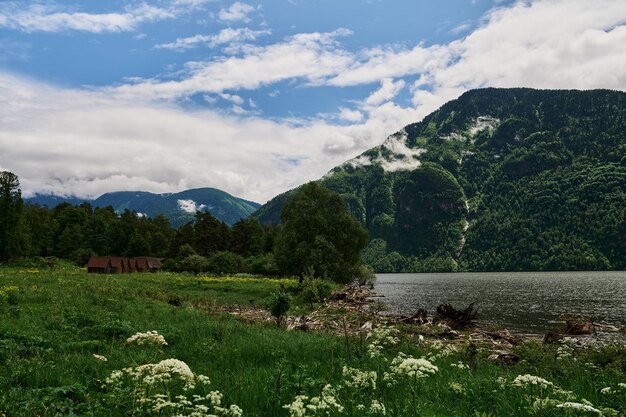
(10, 209)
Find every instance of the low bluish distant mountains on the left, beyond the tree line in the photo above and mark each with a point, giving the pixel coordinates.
(179, 208)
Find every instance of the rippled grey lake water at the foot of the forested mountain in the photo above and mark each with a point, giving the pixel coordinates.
(529, 302)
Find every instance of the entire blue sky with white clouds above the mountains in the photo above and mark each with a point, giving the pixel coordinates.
(258, 97)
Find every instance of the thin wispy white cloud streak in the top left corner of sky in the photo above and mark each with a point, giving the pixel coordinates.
(50, 18)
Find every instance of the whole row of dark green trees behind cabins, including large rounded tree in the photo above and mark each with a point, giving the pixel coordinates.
(317, 236)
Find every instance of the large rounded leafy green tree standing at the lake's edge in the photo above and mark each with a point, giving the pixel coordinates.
(319, 232)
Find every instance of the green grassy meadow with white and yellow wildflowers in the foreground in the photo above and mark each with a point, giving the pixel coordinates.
(57, 327)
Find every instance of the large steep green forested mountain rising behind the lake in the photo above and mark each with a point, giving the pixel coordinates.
(498, 179)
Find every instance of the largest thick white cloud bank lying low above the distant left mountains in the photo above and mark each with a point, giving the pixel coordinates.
(83, 142)
